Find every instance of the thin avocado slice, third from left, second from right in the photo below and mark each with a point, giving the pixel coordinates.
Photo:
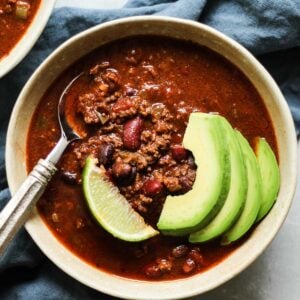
(254, 195)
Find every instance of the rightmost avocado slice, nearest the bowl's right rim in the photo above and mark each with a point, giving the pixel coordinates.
(270, 174)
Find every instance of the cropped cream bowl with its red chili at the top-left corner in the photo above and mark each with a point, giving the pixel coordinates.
(21, 23)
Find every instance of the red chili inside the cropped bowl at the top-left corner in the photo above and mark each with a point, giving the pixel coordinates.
(15, 18)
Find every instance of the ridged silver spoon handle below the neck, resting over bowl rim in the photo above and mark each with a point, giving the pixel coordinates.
(18, 209)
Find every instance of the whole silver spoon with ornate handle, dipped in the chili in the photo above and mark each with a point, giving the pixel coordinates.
(18, 209)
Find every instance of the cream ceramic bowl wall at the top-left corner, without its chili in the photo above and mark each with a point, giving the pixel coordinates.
(29, 38)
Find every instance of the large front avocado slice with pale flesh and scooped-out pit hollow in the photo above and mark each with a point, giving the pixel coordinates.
(183, 214)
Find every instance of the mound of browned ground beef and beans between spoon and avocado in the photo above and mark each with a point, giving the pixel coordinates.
(137, 135)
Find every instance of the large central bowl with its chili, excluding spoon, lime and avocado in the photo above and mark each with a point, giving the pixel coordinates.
(179, 66)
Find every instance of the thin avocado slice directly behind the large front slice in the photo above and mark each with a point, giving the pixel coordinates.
(236, 197)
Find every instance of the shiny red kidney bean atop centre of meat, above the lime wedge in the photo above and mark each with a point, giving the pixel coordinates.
(131, 133)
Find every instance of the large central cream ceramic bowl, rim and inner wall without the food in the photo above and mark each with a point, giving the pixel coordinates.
(88, 40)
